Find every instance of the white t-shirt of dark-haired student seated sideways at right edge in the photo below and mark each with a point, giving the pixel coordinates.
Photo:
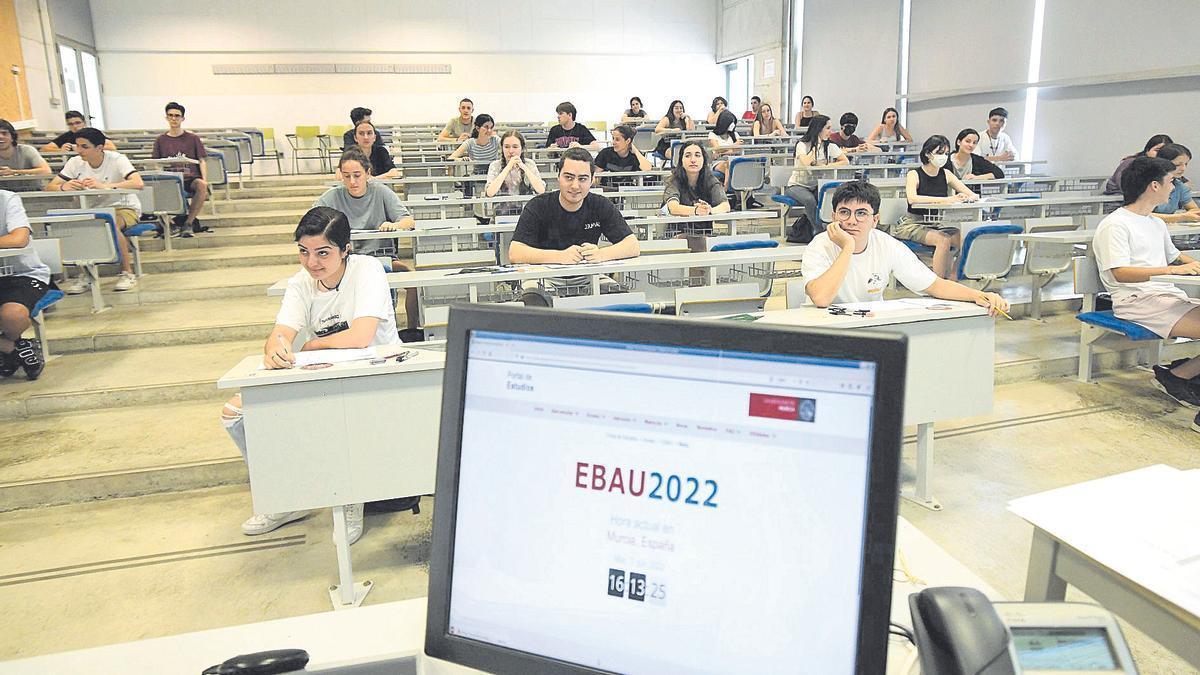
(1127, 240)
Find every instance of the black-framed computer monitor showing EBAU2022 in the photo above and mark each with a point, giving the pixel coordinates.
(659, 495)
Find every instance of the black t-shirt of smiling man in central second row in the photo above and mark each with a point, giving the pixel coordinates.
(547, 225)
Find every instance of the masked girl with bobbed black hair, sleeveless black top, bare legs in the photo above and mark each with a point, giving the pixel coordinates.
(932, 184)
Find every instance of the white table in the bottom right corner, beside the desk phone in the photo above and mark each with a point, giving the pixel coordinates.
(1130, 542)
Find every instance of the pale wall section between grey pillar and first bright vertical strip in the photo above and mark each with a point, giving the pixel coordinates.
(850, 70)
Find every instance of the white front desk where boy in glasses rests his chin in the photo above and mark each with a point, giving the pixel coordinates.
(951, 365)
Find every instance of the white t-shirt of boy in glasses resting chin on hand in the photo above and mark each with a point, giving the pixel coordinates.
(871, 271)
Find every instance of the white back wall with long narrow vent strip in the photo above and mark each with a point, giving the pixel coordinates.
(513, 58)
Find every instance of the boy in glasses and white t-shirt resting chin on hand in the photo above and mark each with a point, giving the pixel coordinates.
(853, 261)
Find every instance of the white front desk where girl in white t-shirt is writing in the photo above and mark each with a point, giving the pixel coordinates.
(331, 438)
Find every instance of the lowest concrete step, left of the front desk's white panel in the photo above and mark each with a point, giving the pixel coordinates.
(117, 453)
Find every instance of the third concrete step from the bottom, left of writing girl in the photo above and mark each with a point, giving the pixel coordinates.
(161, 325)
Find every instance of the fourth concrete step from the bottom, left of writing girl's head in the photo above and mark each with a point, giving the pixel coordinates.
(172, 288)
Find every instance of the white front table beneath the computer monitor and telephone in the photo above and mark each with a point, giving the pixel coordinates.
(391, 637)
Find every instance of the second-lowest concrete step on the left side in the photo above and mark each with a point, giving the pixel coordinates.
(124, 379)
